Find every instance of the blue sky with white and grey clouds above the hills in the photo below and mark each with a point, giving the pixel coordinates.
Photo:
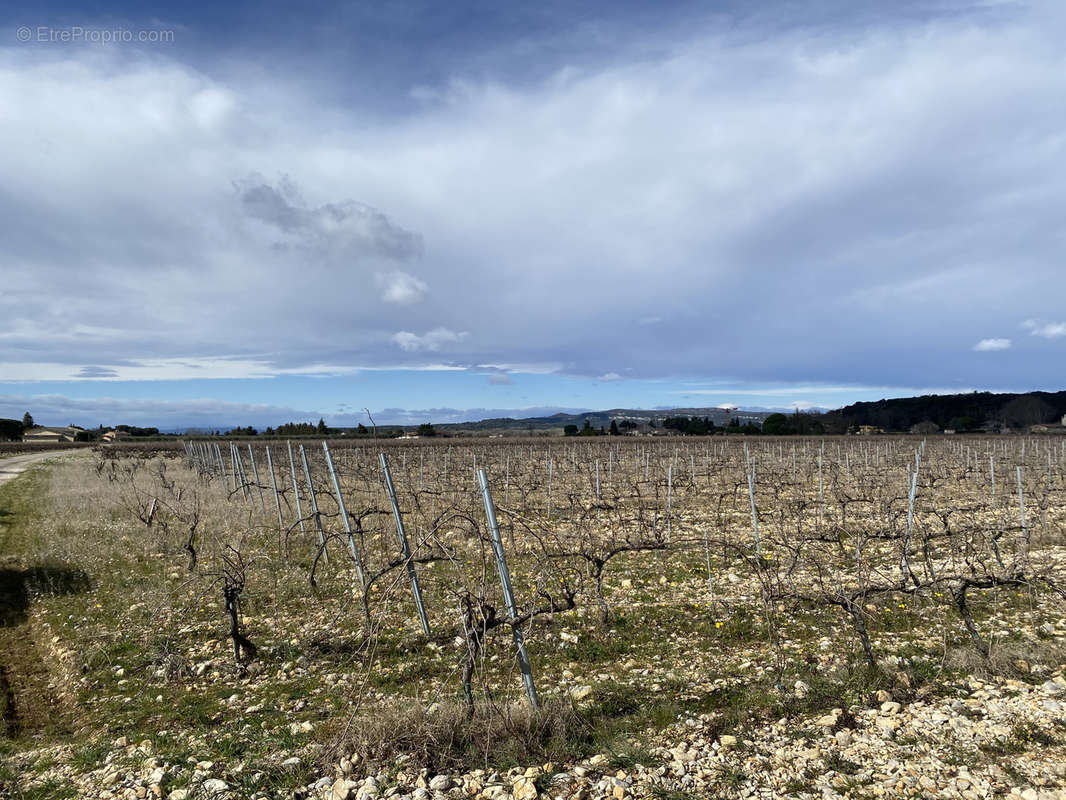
(236, 214)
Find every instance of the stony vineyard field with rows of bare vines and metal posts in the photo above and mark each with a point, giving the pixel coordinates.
(860, 617)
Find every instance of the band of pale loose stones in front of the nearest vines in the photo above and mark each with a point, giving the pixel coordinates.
(989, 740)
